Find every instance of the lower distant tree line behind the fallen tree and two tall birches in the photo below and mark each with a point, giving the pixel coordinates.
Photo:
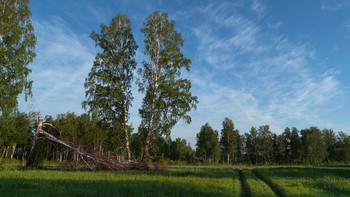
(86, 130)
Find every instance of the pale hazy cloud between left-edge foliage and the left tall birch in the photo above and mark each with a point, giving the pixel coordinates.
(59, 70)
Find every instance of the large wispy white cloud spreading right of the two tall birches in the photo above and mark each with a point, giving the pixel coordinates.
(261, 77)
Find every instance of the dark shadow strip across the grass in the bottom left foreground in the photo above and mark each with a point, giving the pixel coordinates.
(39, 187)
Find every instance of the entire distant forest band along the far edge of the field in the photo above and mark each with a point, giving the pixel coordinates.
(258, 146)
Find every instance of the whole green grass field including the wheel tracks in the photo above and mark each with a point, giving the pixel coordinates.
(179, 181)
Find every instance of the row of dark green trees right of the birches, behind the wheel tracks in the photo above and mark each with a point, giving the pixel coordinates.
(261, 146)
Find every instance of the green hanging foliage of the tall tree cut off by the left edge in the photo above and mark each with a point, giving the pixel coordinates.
(17, 43)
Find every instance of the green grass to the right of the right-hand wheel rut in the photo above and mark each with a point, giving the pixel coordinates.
(308, 181)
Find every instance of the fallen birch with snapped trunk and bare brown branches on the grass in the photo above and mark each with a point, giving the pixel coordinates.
(90, 158)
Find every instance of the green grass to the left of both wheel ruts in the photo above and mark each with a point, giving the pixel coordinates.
(176, 182)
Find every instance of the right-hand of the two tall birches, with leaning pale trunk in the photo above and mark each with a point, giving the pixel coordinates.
(167, 95)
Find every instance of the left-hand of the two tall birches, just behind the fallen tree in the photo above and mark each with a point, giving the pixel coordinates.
(108, 86)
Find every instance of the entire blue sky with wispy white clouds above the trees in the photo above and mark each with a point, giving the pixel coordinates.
(281, 63)
